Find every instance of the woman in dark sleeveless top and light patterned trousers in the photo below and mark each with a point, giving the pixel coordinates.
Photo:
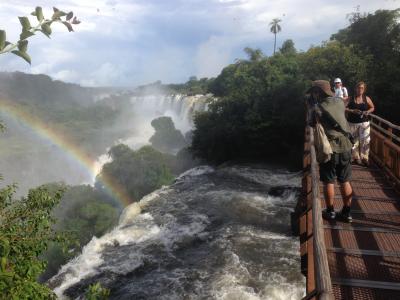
(357, 115)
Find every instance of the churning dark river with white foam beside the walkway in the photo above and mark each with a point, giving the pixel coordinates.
(213, 234)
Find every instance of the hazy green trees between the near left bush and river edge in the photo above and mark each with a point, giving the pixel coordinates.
(83, 212)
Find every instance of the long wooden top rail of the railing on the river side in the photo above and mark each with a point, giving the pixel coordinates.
(323, 279)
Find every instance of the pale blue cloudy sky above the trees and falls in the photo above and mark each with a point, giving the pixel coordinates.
(132, 42)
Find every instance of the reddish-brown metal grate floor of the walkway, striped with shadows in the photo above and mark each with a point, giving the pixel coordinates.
(364, 256)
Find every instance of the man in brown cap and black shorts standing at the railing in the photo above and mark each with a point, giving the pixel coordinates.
(331, 115)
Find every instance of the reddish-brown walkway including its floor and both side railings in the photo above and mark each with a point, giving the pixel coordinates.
(360, 260)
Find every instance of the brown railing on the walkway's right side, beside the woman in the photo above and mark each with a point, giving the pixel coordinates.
(385, 147)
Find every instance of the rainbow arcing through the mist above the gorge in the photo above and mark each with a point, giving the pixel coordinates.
(66, 145)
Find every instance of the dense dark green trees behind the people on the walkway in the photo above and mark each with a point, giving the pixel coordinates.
(260, 108)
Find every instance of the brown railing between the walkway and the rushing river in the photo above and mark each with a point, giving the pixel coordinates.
(319, 284)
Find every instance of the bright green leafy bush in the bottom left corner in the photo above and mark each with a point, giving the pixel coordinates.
(26, 230)
